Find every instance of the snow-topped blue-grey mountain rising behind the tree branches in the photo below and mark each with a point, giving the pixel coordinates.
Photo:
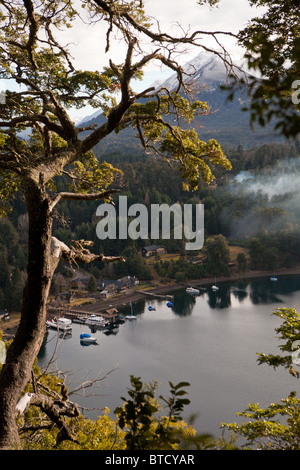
(226, 123)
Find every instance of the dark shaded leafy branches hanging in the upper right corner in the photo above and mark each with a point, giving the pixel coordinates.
(273, 53)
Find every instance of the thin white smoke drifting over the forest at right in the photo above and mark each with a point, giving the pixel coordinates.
(267, 200)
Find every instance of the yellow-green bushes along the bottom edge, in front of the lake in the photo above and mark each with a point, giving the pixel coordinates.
(136, 427)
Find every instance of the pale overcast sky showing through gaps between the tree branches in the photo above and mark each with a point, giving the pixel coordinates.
(172, 15)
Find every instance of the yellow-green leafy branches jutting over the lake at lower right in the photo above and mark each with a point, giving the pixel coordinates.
(266, 429)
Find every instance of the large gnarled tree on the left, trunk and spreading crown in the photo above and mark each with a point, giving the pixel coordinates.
(50, 85)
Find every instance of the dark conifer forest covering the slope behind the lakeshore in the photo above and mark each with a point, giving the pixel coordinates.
(243, 214)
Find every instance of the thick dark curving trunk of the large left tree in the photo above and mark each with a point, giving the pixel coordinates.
(29, 337)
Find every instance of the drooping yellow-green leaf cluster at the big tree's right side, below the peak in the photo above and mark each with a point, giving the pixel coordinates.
(195, 157)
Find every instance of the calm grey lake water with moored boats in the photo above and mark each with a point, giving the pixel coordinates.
(210, 341)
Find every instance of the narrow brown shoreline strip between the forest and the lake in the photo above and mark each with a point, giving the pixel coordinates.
(9, 329)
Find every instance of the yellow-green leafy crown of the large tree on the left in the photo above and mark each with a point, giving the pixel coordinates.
(50, 85)
